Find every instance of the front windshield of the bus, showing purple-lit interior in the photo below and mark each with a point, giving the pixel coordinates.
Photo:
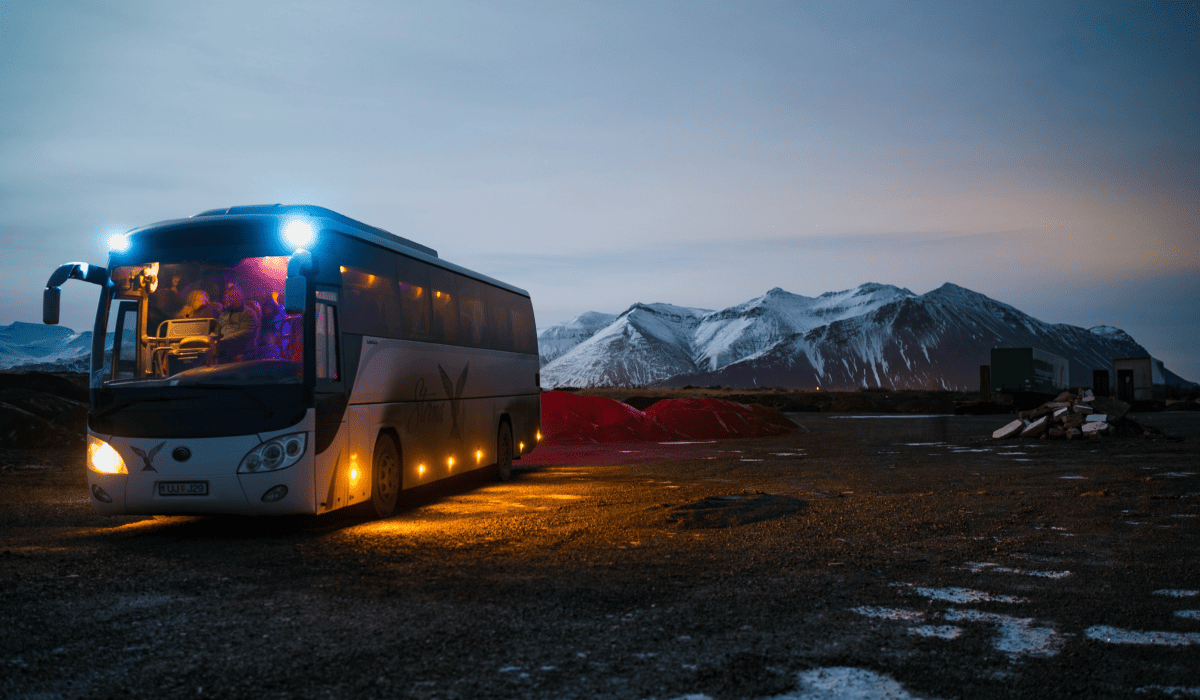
(195, 324)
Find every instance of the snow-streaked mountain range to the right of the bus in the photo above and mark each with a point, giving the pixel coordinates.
(874, 336)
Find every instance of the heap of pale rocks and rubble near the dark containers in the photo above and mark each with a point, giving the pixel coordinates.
(1076, 416)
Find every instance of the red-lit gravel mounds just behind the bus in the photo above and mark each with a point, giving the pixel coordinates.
(572, 420)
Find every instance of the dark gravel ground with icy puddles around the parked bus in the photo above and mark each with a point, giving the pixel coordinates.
(899, 555)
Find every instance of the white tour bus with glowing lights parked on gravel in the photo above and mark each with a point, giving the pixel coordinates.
(287, 360)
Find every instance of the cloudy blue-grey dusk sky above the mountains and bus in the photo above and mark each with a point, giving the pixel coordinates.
(601, 154)
